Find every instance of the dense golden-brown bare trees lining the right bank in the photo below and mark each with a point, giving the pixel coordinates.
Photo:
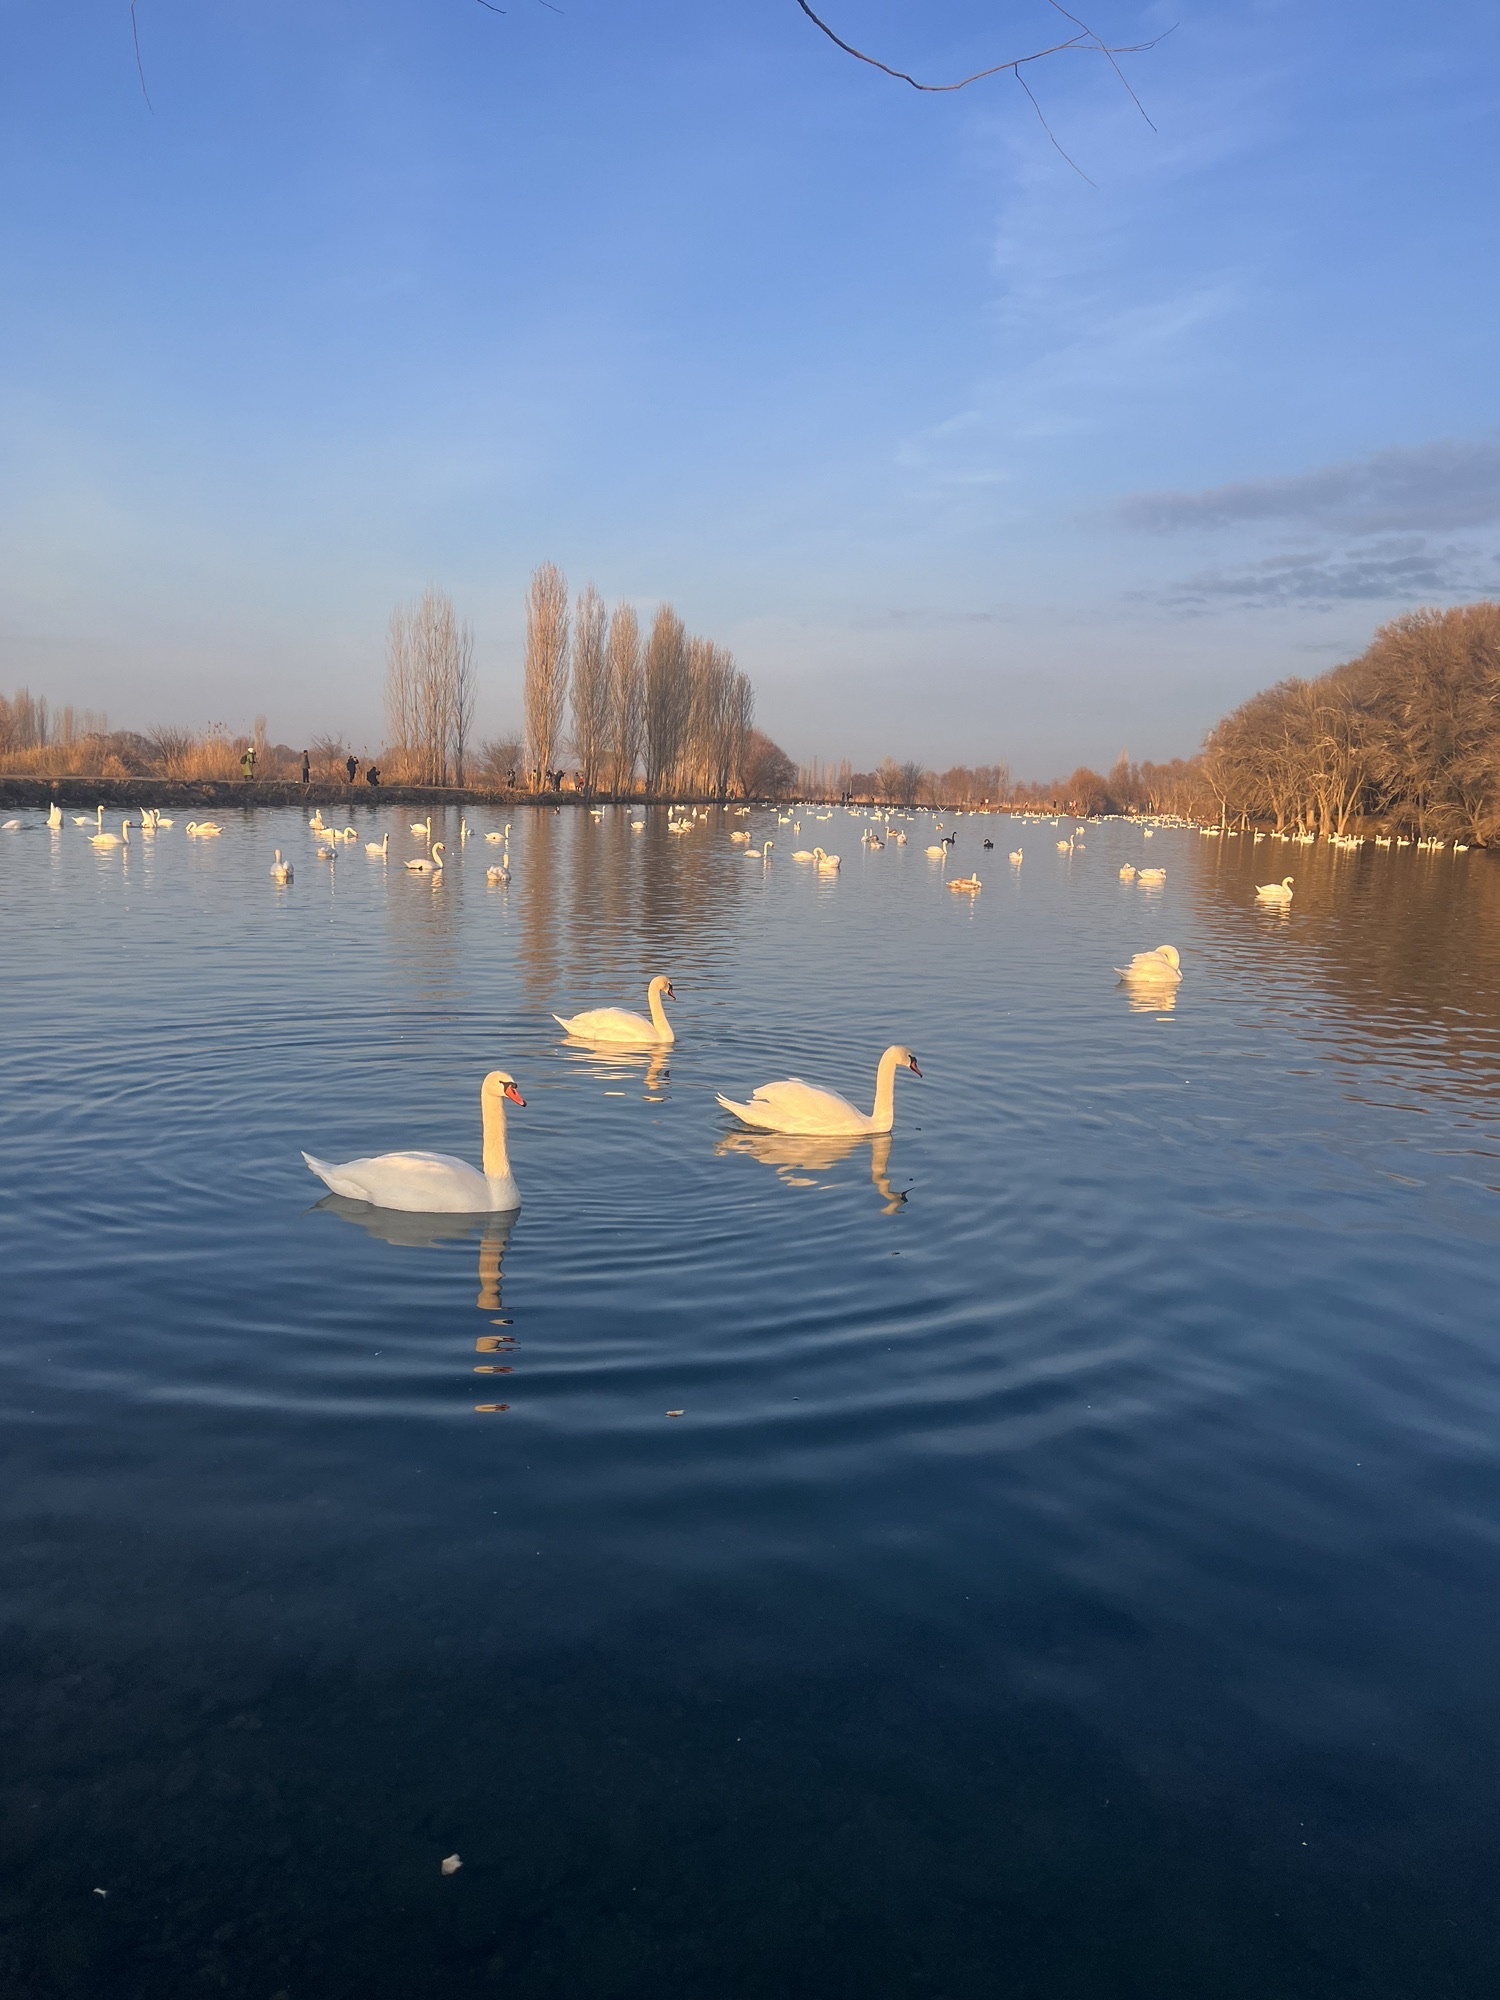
(1405, 737)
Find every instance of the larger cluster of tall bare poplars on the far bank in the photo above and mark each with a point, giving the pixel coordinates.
(673, 709)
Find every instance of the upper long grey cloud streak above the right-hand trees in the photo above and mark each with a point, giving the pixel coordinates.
(1423, 489)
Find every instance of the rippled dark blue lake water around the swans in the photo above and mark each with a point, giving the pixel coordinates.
(1073, 1571)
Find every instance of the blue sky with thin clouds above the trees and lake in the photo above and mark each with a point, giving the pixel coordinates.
(967, 453)
